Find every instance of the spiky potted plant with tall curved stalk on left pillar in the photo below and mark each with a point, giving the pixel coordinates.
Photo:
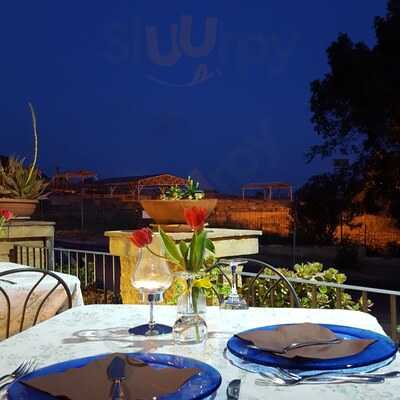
(21, 186)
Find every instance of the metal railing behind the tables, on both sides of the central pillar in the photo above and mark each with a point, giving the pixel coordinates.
(99, 273)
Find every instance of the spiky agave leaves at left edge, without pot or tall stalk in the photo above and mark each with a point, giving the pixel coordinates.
(20, 182)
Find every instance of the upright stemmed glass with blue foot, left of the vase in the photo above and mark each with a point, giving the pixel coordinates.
(152, 277)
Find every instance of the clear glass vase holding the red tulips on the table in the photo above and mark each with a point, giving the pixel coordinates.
(190, 327)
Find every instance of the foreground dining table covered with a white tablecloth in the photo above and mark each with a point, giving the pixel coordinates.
(100, 329)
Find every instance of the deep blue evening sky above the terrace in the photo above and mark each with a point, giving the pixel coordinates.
(111, 96)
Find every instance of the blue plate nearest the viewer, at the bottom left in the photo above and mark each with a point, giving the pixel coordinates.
(200, 386)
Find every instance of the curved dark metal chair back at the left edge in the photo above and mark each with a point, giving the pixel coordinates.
(44, 273)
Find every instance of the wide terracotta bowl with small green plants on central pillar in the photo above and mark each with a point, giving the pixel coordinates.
(169, 209)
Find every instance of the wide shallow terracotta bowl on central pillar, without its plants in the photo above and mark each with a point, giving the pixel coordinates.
(168, 212)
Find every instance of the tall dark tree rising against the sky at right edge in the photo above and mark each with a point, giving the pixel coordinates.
(356, 110)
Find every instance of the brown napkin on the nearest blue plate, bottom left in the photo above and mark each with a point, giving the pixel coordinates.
(91, 382)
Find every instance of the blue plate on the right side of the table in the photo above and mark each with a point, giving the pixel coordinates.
(382, 349)
